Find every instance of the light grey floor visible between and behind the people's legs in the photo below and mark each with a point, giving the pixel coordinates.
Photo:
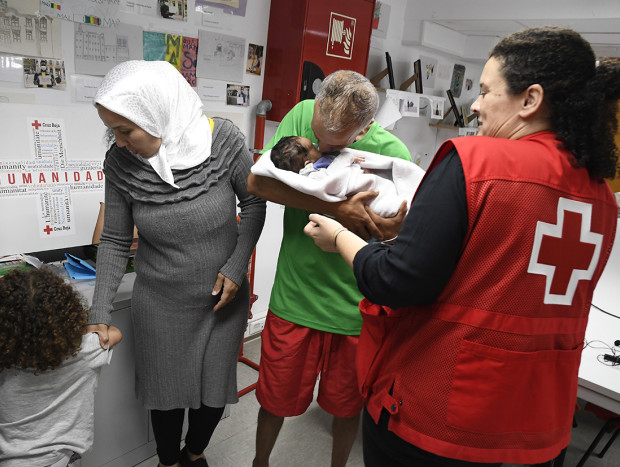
(305, 441)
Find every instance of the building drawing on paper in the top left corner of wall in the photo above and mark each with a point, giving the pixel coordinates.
(31, 33)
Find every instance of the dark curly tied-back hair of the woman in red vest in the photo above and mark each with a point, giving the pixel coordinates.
(580, 94)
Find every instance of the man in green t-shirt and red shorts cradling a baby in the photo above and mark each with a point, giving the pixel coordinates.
(313, 323)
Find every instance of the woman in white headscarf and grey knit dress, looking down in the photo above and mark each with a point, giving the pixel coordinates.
(176, 175)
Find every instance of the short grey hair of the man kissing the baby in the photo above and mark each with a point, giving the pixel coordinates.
(347, 100)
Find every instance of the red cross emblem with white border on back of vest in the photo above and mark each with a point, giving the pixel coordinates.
(566, 252)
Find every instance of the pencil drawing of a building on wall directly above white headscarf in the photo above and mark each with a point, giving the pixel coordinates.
(98, 50)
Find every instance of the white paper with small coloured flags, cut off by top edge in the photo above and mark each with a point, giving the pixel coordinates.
(102, 13)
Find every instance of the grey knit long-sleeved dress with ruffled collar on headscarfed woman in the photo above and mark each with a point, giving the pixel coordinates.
(186, 353)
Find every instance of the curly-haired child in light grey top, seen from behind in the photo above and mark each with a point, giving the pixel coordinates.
(48, 370)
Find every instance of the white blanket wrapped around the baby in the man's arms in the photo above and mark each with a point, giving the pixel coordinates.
(396, 179)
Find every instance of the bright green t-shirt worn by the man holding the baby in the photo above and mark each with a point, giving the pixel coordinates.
(313, 288)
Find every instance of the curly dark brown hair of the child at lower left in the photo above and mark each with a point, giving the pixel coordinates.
(42, 319)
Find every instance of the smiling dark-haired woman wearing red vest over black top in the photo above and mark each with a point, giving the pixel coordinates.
(474, 318)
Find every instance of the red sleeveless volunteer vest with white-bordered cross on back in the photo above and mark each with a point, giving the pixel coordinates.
(488, 373)
